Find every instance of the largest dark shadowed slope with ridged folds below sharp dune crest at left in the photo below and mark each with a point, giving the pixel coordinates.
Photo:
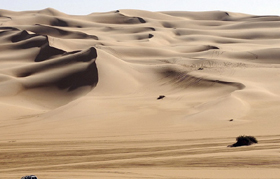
(70, 71)
